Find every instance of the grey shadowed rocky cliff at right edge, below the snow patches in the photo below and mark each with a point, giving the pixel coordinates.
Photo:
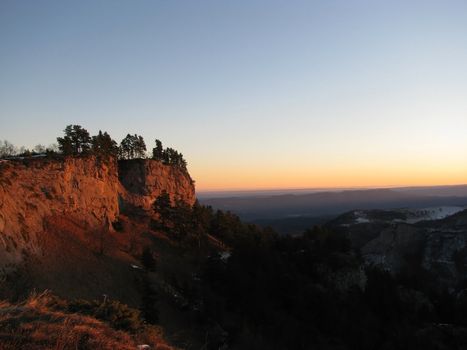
(399, 242)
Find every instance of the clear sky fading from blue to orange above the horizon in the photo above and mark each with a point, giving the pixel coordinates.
(255, 94)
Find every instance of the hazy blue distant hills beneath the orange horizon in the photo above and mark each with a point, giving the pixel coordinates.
(293, 212)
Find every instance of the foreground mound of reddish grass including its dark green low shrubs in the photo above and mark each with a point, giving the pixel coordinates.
(44, 321)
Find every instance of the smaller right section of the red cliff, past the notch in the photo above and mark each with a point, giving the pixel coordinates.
(142, 181)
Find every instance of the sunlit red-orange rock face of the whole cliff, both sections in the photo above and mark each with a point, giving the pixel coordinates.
(37, 192)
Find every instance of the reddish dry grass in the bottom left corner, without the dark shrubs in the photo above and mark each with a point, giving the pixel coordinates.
(38, 323)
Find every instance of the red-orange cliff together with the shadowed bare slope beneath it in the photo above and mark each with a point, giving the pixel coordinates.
(57, 220)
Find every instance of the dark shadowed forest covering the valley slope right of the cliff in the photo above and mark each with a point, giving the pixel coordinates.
(311, 292)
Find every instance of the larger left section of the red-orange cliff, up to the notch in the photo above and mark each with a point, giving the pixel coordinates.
(31, 191)
